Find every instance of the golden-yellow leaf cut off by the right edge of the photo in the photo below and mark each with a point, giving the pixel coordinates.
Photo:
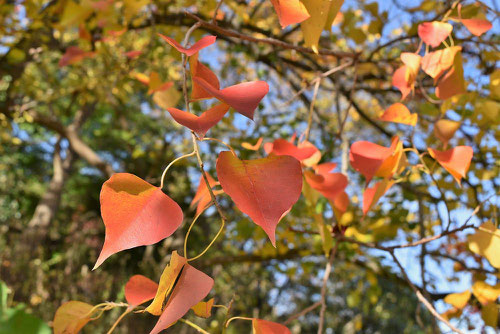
(486, 242)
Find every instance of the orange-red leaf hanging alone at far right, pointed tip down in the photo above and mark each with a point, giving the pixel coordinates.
(456, 160)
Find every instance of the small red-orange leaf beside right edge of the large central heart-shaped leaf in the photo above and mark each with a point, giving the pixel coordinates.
(328, 184)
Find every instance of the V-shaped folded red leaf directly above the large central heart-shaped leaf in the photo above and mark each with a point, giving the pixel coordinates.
(200, 124)
